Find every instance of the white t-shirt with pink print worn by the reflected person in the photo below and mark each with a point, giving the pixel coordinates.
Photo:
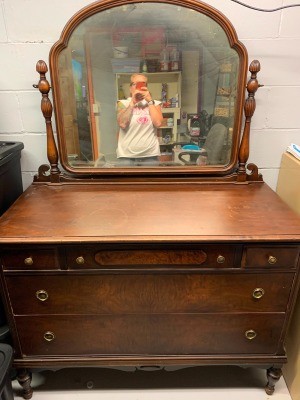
(140, 138)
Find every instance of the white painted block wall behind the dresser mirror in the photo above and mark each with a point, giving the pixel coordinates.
(28, 28)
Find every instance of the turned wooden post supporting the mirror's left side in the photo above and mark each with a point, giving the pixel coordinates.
(46, 107)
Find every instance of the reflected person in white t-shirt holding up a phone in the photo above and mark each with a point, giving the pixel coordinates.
(138, 117)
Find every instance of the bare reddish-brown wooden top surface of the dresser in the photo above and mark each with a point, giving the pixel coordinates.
(153, 212)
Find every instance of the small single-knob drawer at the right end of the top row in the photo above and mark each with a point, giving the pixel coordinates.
(271, 256)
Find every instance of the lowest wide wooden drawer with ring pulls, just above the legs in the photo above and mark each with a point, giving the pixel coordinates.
(158, 334)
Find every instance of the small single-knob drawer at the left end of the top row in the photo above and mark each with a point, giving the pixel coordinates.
(31, 258)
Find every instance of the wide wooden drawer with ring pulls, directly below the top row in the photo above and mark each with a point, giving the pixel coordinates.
(159, 293)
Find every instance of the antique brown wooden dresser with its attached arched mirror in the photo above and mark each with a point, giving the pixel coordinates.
(167, 265)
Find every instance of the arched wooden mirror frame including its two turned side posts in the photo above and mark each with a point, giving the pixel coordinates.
(240, 148)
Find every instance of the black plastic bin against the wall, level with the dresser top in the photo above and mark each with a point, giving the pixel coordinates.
(10, 173)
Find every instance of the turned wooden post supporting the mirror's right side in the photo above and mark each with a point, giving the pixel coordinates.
(249, 109)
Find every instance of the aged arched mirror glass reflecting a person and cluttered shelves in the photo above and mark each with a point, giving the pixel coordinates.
(188, 69)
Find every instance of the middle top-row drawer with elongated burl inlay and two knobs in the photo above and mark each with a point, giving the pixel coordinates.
(218, 256)
